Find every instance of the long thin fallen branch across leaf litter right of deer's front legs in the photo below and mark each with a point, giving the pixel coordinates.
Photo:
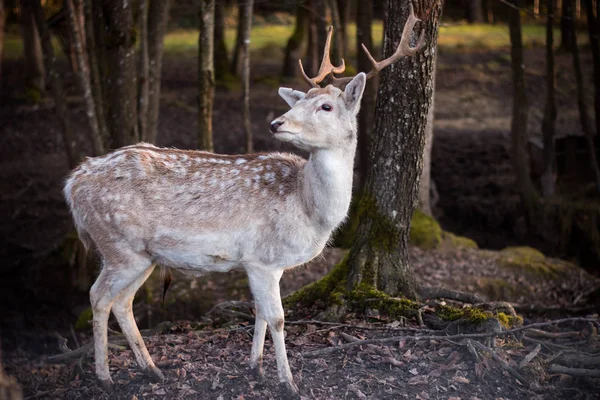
(329, 350)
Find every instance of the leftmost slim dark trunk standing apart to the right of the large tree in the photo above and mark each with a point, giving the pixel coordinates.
(519, 116)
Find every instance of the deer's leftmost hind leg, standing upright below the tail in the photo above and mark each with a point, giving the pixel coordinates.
(119, 271)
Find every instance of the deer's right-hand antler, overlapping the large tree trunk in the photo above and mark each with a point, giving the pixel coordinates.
(404, 49)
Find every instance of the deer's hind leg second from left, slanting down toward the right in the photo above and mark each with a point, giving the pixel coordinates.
(123, 311)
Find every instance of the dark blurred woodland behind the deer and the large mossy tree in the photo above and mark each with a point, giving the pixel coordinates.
(510, 165)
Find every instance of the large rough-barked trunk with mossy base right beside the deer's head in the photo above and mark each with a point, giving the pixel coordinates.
(379, 255)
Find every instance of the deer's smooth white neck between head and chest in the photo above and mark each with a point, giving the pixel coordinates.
(326, 185)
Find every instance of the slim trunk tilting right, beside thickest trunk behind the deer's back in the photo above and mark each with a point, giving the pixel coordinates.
(158, 16)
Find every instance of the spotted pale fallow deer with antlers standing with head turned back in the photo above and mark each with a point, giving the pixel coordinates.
(196, 211)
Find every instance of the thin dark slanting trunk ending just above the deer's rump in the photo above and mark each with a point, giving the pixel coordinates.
(71, 145)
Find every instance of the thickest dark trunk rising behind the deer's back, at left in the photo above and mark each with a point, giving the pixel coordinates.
(121, 72)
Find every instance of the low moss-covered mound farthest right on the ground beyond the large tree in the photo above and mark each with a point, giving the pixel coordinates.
(533, 262)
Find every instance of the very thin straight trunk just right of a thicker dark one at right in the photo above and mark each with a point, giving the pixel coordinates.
(549, 120)
